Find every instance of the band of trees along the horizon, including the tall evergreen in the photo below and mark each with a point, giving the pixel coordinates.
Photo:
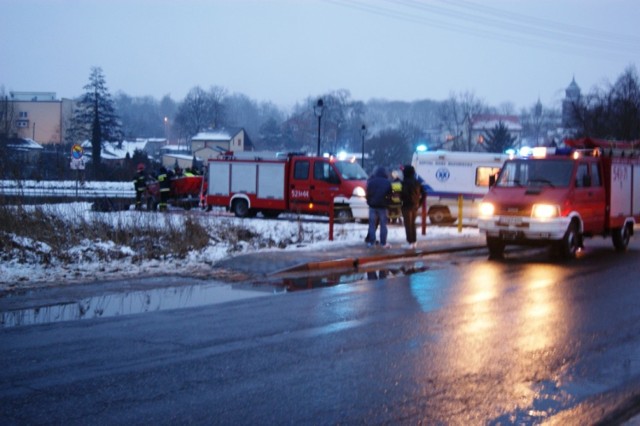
(387, 131)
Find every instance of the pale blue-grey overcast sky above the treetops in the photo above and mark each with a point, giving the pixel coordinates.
(287, 50)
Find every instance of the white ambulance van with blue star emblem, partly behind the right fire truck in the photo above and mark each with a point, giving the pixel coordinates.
(447, 175)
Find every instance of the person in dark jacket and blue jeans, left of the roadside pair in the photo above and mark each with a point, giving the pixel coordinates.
(378, 199)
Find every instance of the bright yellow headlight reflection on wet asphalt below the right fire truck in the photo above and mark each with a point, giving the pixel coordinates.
(500, 327)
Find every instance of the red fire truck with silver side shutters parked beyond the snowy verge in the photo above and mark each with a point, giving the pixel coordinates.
(271, 183)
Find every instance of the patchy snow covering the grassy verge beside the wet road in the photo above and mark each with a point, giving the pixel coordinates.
(35, 264)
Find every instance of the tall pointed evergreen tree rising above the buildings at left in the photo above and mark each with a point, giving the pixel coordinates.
(94, 117)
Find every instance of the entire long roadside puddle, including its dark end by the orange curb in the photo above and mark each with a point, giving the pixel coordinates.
(176, 297)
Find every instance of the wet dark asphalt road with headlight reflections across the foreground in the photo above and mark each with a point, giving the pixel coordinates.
(466, 341)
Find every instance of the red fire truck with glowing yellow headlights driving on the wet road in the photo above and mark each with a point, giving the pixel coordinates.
(558, 196)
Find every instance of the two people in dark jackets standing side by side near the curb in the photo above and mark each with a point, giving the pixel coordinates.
(379, 197)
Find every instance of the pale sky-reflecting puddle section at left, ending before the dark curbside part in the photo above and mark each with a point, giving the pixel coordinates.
(134, 302)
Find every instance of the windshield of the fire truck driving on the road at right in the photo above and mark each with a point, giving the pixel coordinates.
(538, 172)
